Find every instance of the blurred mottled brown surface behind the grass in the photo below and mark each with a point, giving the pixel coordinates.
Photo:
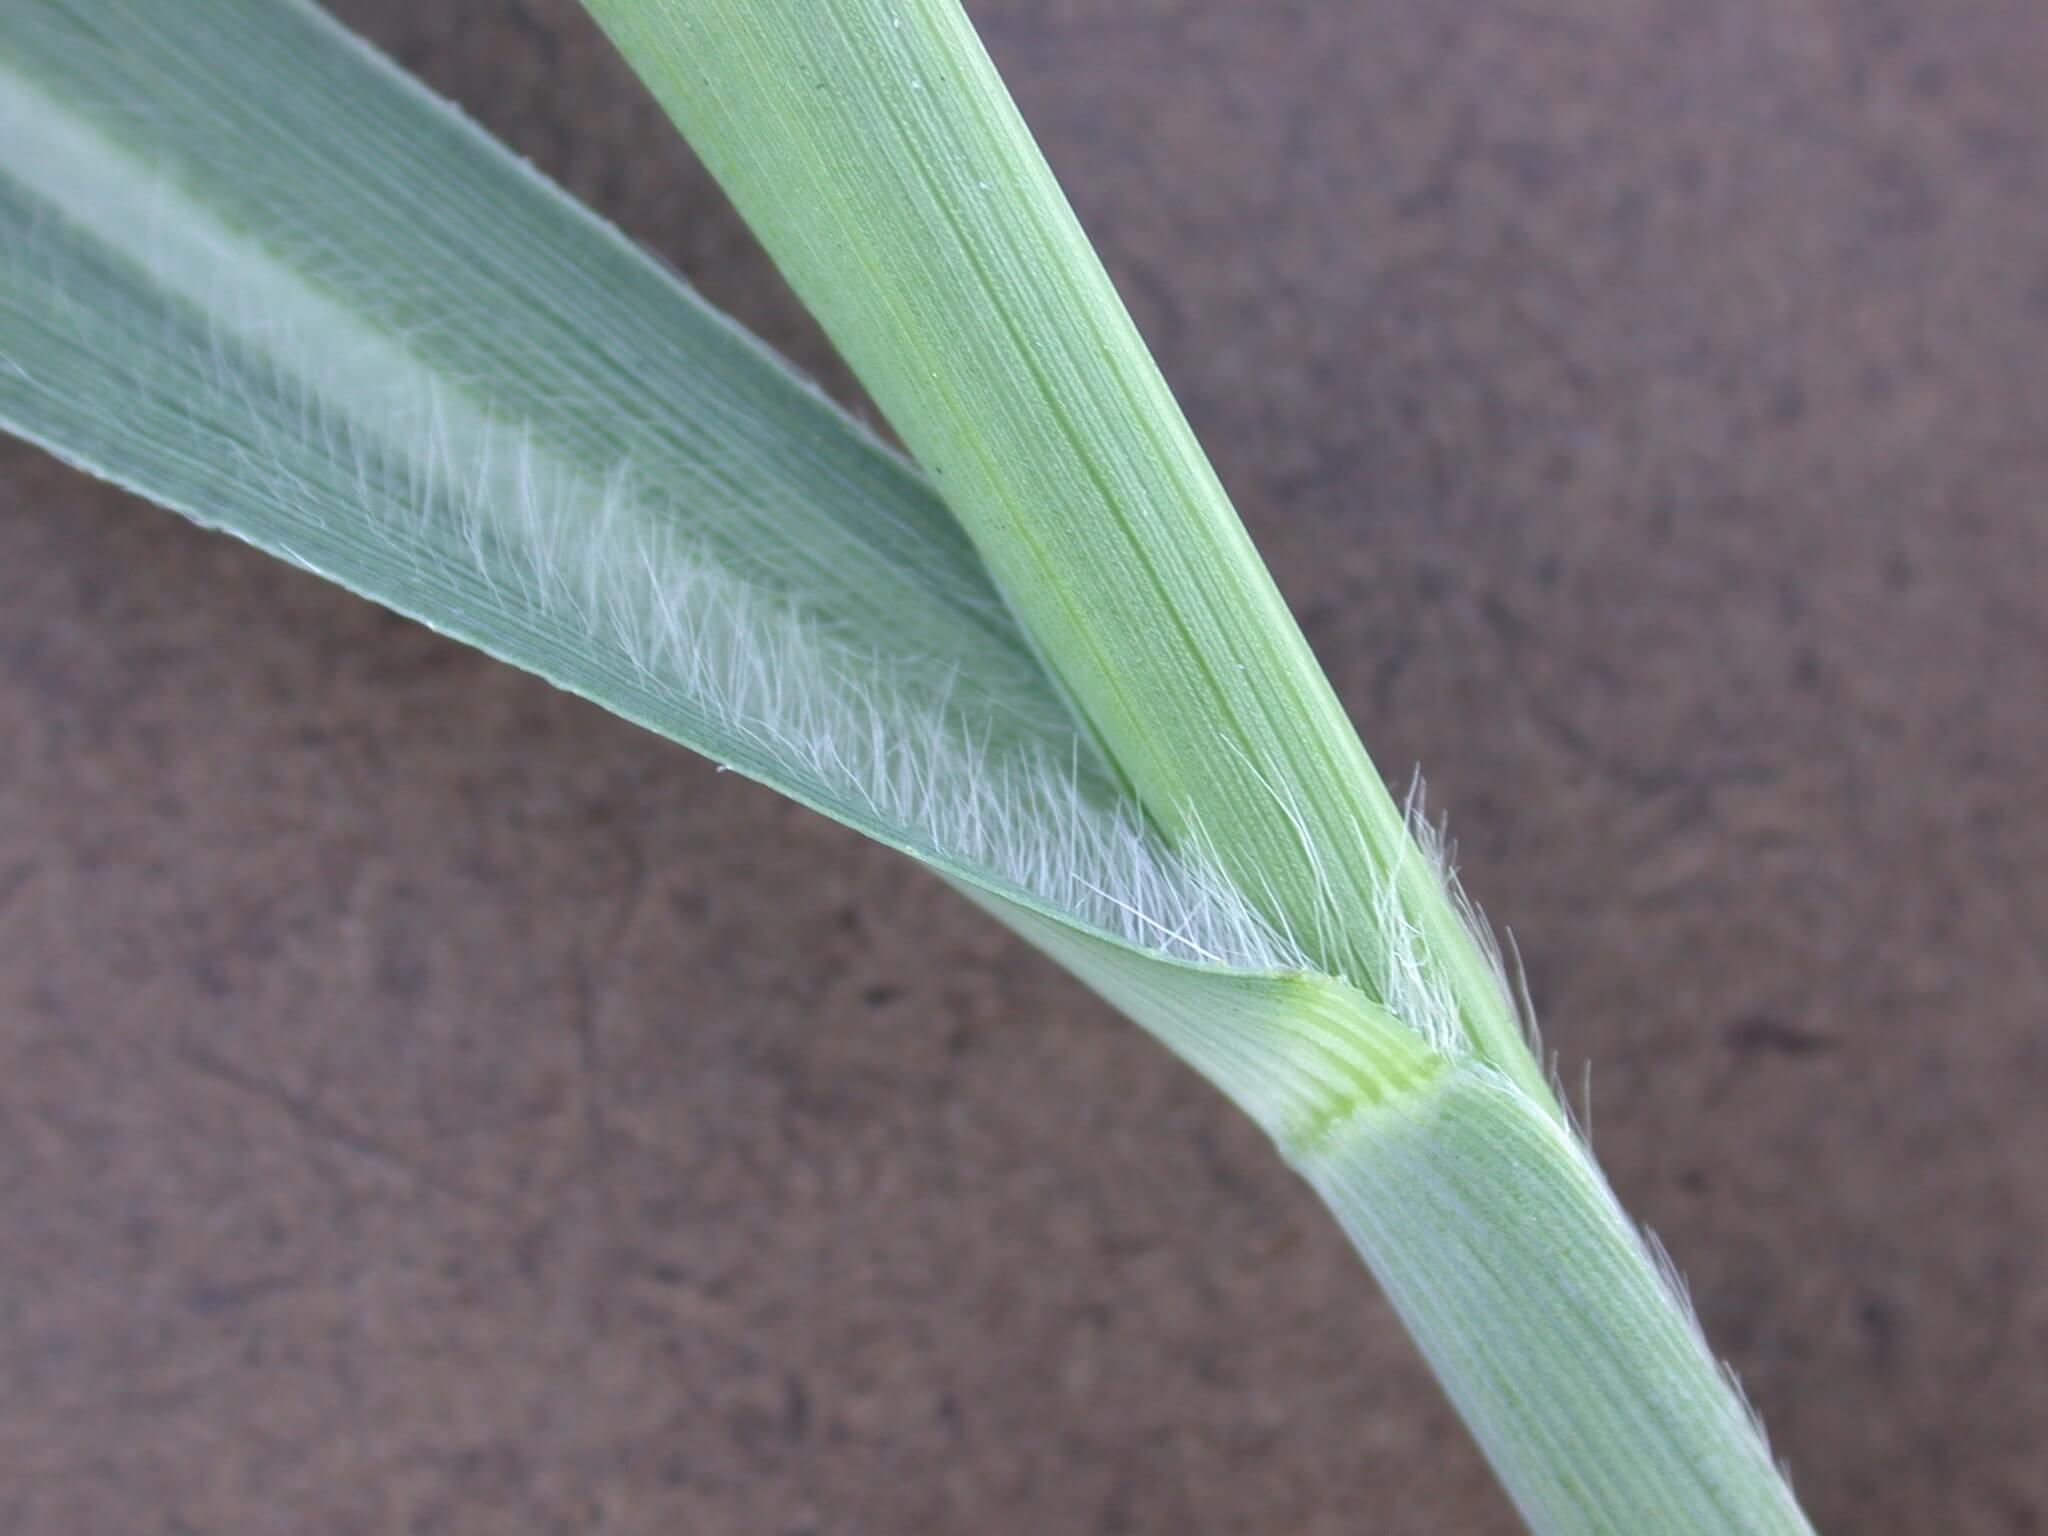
(433, 1107)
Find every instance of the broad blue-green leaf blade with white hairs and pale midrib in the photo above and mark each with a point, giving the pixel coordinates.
(210, 296)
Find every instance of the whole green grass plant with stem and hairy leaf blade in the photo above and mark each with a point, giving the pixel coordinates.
(255, 273)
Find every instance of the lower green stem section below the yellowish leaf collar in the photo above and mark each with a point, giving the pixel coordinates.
(1551, 1326)
